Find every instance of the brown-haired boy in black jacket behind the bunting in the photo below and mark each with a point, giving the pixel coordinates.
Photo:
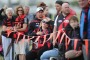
(72, 31)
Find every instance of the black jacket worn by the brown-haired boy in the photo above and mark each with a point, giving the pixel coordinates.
(72, 33)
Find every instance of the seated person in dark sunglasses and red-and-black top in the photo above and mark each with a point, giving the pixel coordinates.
(39, 48)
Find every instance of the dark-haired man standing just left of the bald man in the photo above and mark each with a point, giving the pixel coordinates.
(58, 5)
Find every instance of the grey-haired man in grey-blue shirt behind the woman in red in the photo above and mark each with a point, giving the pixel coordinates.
(29, 16)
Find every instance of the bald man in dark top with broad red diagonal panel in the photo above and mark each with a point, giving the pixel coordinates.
(64, 18)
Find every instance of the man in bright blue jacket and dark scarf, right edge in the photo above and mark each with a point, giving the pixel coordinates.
(83, 22)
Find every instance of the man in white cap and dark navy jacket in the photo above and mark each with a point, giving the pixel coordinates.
(36, 22)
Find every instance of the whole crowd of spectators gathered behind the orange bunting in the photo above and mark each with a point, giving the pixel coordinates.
(43, 34)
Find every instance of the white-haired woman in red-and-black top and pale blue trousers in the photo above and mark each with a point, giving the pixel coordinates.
(8, 24)
